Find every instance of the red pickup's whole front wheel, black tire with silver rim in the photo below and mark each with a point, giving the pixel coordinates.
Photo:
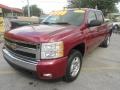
(74, 66)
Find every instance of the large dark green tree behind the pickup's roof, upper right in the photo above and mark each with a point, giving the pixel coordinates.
(107, 6)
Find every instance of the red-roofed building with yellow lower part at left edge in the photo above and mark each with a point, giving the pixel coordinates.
(7, 13)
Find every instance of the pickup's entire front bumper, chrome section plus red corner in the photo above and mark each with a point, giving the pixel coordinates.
(45, 69)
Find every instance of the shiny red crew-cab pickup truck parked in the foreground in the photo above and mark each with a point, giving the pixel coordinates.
(56, 47)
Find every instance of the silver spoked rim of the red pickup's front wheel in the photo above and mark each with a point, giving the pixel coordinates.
(75, 67)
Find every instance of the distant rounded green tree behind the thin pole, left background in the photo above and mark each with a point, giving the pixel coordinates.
(34, 10)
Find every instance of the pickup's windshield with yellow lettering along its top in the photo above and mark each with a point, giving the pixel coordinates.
(71, 17)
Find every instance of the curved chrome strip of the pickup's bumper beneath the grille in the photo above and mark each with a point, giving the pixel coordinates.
(19, 62)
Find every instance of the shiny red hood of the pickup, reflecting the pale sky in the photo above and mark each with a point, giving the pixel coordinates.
(41, 33)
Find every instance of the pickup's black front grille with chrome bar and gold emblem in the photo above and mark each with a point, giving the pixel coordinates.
(23, 50)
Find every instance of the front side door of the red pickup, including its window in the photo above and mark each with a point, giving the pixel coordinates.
(92, 32)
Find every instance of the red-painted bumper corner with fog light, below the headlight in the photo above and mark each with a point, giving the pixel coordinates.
(52, 69)
